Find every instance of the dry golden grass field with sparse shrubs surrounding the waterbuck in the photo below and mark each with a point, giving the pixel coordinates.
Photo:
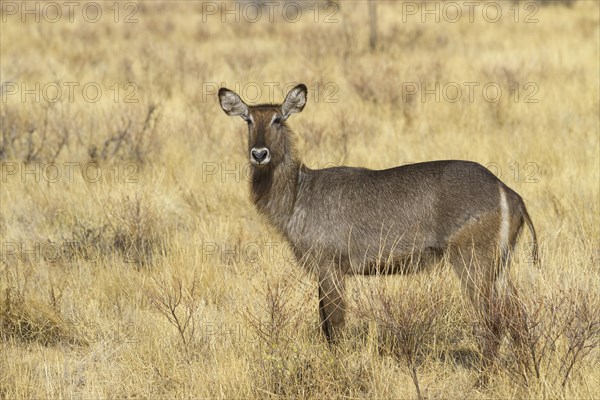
(134, 265)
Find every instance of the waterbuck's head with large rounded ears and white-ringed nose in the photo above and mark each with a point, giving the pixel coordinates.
(268, 141)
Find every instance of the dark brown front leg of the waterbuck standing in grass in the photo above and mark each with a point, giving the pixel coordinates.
(331, 301)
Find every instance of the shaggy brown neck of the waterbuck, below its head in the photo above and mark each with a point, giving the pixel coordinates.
(274, 190)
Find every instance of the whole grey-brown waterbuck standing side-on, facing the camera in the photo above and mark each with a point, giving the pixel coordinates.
(346, 221)
